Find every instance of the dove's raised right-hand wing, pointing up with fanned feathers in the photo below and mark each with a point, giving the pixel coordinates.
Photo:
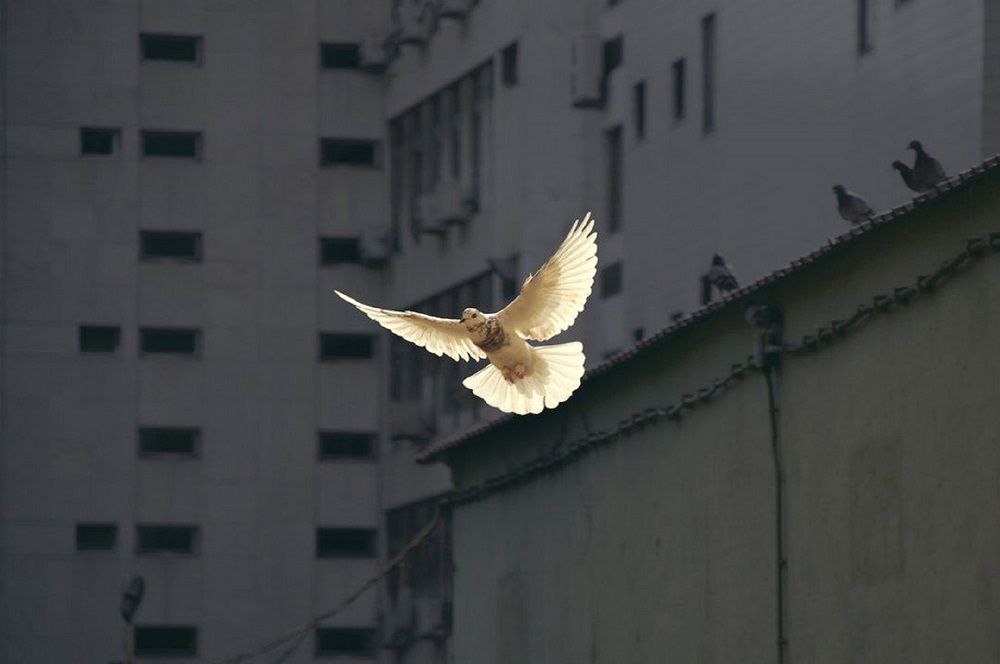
(552, 298)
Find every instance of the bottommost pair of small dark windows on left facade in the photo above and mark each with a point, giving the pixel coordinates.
(172, 641)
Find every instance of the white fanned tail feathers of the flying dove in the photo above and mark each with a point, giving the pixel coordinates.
(554, 375)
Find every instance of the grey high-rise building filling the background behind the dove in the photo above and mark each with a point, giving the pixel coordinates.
(185, 182)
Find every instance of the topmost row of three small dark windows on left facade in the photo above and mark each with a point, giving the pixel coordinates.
(106, 141)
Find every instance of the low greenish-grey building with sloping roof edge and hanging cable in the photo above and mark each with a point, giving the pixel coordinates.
(651, 516)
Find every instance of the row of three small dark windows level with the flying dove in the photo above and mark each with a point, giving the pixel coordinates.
(187, 341)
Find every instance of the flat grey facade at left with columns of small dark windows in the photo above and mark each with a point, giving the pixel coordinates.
(184, 183)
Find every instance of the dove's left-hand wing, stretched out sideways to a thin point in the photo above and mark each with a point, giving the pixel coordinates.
(441, 336)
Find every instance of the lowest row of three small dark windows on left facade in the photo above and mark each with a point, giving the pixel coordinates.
(185, 539)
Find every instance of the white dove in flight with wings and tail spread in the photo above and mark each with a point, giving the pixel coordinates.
(520, 378)
